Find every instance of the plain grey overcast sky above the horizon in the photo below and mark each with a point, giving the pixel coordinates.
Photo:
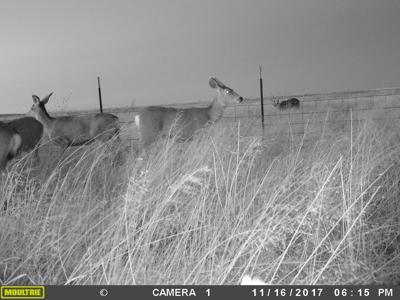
(164, 51)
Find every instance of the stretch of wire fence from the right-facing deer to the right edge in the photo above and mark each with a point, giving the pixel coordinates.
(339, 109)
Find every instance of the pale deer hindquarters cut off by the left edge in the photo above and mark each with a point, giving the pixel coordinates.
(10, 141)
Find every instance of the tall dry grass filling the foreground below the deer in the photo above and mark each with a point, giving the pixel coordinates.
(322, 208)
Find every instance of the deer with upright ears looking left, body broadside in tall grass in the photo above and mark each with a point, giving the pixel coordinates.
(74, 130)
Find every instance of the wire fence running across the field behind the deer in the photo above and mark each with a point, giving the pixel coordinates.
(337, 108)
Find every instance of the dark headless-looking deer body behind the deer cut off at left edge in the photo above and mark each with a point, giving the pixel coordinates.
(31, 132)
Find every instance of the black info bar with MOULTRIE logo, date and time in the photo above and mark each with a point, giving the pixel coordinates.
(201, 292)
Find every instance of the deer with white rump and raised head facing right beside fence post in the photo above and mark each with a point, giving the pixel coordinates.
(155, 121)
